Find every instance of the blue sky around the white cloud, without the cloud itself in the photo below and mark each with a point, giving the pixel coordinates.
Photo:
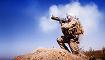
(19, 24)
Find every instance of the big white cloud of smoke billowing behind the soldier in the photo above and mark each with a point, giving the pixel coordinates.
(89, 16)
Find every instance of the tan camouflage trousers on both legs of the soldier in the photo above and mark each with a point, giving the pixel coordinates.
(73, 44)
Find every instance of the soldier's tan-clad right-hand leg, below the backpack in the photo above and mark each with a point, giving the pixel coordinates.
(74, 46)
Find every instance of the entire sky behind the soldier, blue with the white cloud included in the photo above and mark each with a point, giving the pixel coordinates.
(25, 24)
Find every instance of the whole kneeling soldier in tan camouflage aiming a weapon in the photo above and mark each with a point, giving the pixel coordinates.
(71, 29)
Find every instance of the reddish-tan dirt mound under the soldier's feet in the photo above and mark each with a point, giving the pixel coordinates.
(50, 54)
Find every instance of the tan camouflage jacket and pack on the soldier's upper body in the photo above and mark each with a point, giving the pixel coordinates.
(72, 27)
